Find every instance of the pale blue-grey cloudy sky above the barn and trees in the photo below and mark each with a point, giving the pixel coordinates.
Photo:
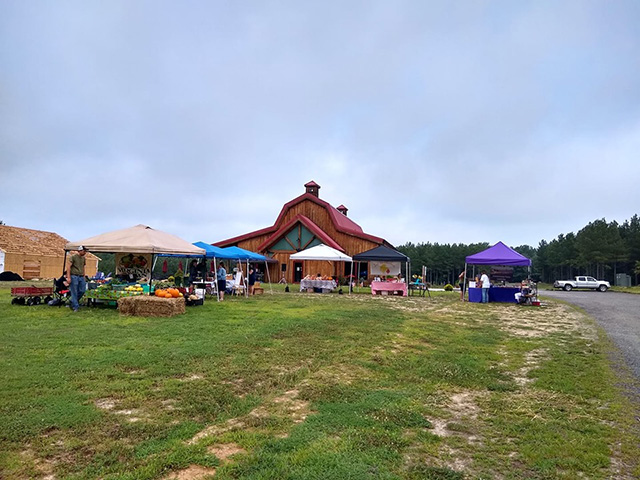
(432, 121)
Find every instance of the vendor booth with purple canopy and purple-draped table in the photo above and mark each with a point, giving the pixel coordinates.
(498, 255)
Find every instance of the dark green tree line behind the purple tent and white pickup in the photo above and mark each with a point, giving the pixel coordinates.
(601, 249)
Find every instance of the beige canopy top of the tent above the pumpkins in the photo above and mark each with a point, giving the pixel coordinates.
(137, 239)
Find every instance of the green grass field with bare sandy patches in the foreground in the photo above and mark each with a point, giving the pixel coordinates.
(304, 386)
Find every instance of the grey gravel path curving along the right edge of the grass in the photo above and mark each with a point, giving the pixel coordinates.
(617, 313)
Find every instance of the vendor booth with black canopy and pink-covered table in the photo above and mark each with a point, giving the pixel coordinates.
(385, 262)
